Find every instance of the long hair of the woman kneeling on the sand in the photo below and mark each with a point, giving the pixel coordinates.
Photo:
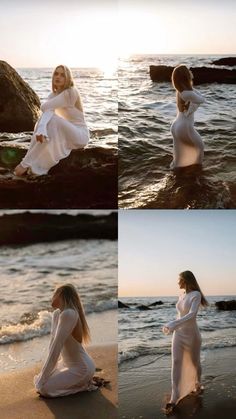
(71, 299)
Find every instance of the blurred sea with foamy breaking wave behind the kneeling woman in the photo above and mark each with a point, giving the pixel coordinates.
(29, 275)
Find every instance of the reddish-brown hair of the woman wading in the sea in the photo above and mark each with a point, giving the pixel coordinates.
(182, 79)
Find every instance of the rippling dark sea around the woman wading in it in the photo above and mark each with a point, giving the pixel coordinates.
(146, 111)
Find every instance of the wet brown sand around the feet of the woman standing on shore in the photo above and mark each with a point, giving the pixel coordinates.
(143, 390)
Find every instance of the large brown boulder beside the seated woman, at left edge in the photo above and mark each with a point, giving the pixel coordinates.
(19, 104)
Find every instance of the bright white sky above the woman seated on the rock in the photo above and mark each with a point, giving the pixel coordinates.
(44, 33)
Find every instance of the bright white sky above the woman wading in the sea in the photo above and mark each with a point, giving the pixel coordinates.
(177, 27)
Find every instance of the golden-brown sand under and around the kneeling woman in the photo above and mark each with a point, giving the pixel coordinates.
(19, 399)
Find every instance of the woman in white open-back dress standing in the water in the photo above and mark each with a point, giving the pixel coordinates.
(188, 145)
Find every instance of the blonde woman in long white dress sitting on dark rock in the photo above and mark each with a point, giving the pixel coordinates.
(60, 129)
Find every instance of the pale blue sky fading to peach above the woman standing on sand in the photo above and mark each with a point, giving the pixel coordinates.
(155, 246)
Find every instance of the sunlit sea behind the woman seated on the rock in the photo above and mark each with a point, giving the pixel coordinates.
(99, 96)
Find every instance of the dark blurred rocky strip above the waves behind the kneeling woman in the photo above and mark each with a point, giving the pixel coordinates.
(26, 228)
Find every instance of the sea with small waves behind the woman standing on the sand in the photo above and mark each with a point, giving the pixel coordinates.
(140, 332)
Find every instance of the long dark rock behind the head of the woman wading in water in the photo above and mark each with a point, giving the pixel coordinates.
(162, 73)
